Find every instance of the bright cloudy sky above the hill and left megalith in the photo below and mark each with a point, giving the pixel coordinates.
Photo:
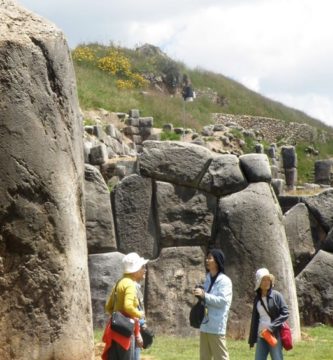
(282, 49)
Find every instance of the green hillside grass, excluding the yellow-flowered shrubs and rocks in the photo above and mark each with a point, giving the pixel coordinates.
(97, 89)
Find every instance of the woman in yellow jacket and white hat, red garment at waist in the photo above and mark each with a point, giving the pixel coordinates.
(125, 300)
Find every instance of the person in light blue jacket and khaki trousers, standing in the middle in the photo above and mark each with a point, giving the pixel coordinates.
(217, 294)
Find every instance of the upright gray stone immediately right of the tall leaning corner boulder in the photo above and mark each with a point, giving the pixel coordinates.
(298, 230)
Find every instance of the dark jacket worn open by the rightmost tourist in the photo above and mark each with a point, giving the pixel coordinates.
(277, 309)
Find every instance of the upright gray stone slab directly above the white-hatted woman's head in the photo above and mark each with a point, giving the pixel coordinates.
(134, 216)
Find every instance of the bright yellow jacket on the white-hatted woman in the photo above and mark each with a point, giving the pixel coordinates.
(127, 300)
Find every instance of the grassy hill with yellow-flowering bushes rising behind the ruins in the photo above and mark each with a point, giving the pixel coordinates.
(119, 79)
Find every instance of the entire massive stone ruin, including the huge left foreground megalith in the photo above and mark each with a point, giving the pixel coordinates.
(176, 201)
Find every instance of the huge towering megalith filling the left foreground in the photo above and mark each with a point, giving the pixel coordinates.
(45, 310)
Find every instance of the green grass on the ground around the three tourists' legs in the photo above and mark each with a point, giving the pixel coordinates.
(317, 344)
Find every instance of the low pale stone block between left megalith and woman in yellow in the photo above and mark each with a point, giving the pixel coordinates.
(104, 271)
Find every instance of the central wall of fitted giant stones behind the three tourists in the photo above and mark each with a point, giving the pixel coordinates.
(182, 200)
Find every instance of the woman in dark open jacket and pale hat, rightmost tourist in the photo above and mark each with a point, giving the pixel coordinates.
(269, 312)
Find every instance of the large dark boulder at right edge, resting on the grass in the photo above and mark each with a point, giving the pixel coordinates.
(314, 290)
